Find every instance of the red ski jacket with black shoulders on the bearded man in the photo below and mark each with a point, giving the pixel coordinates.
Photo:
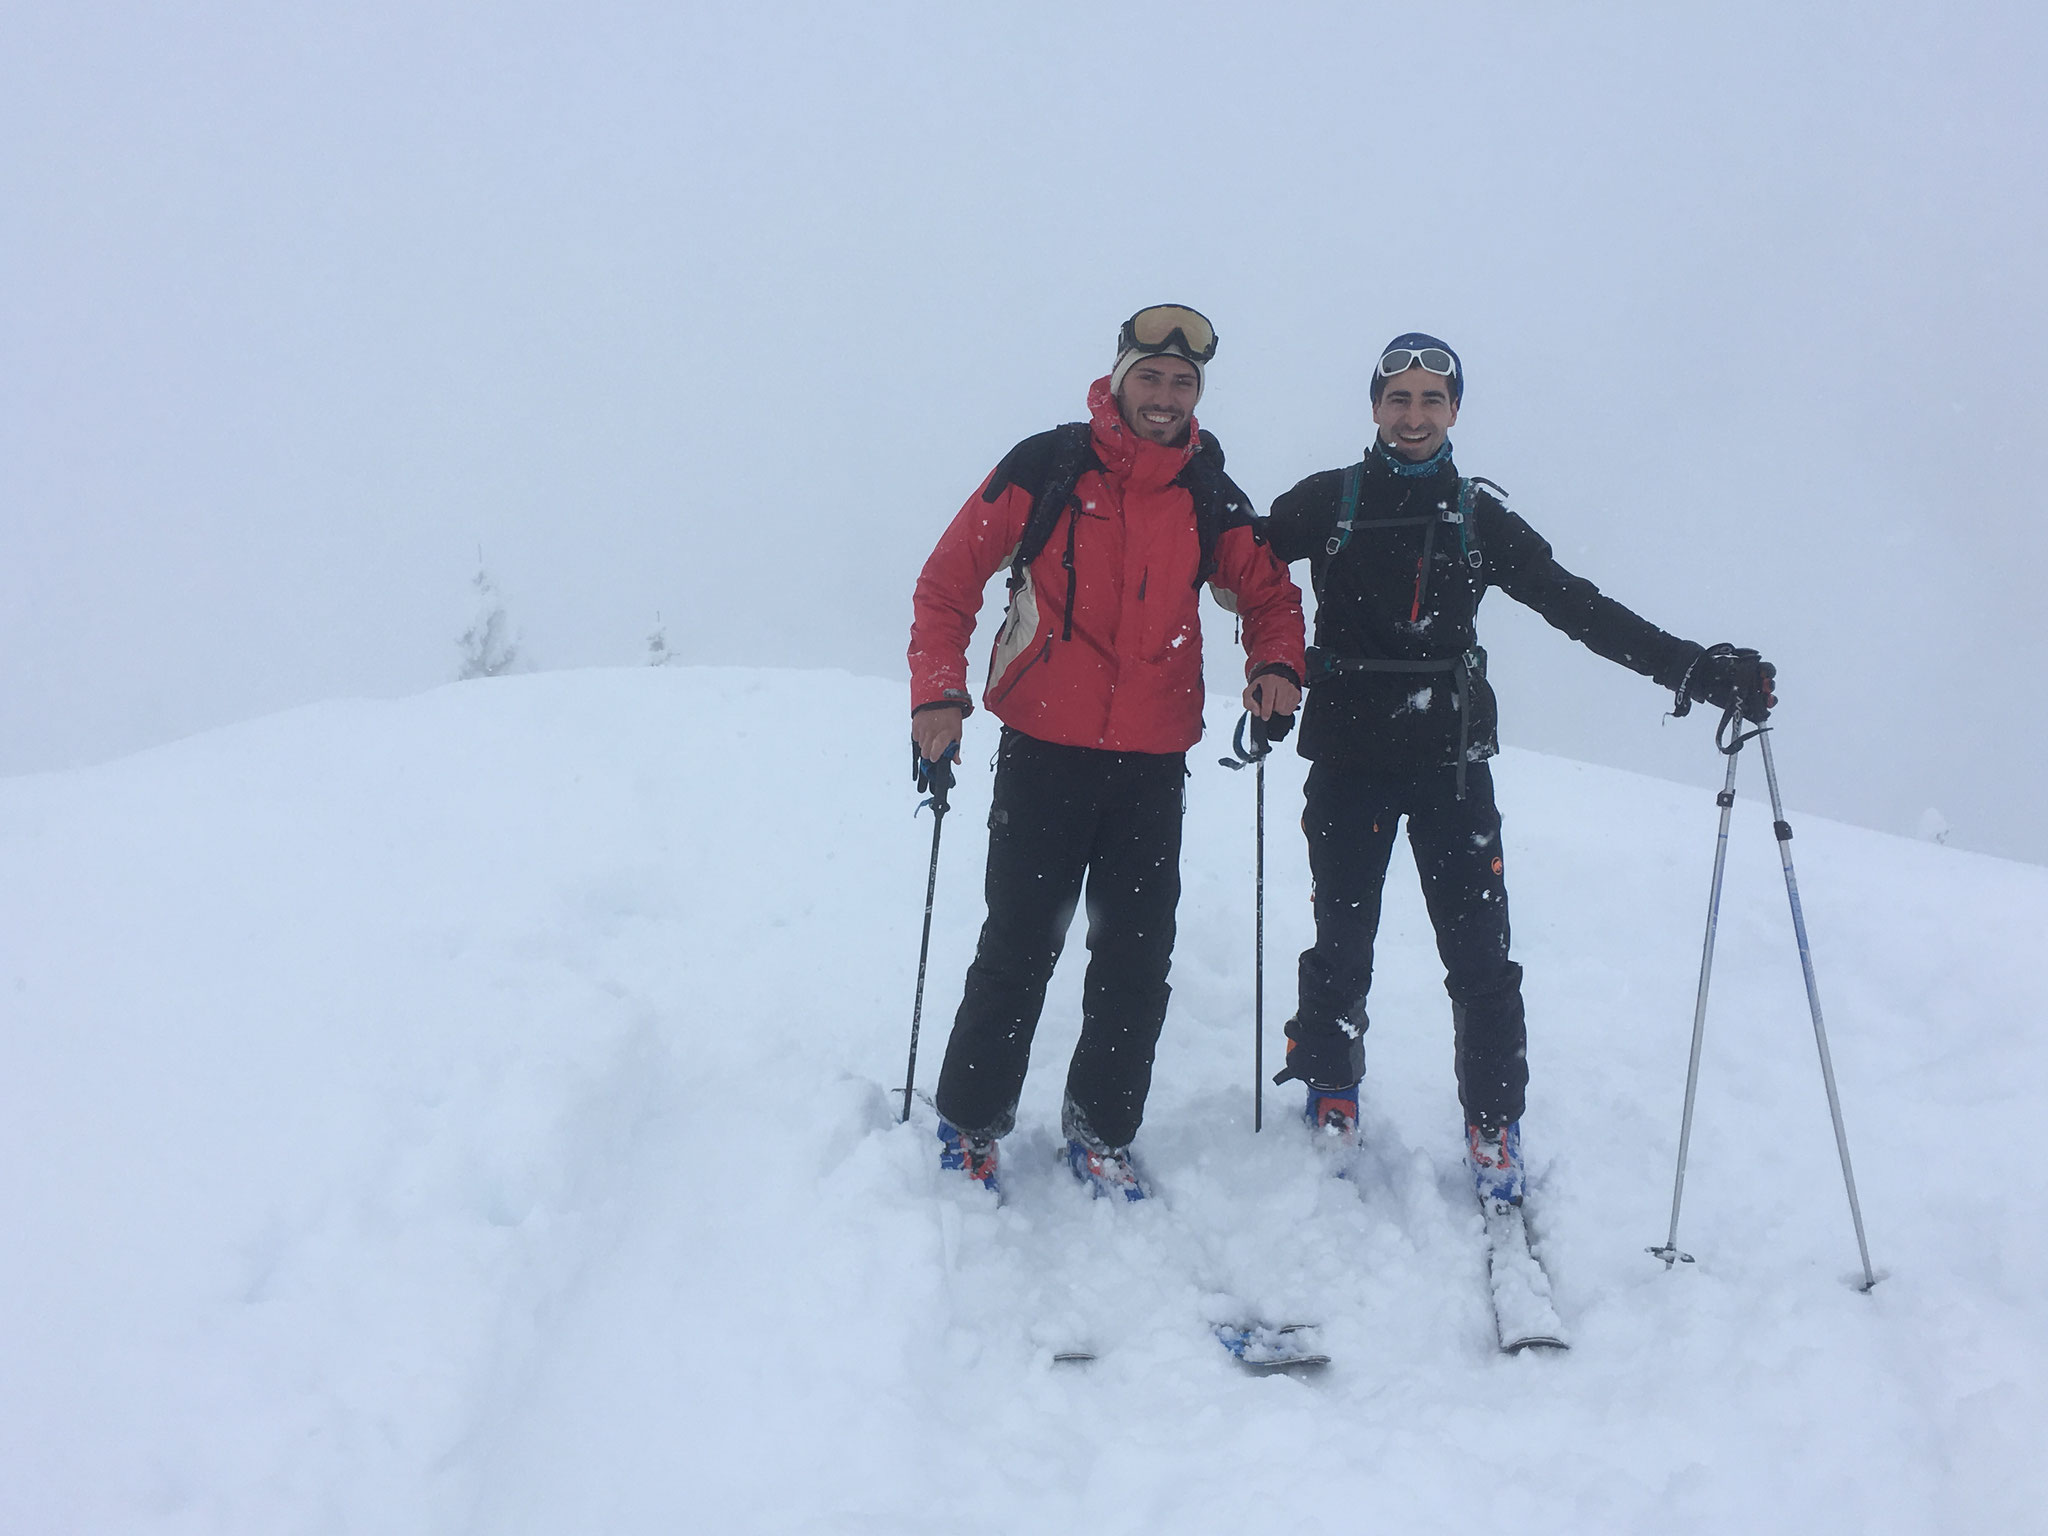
(1129, 673)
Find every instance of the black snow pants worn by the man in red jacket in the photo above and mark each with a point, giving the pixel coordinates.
(1062, 818)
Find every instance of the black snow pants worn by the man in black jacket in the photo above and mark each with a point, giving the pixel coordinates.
(1351, 820)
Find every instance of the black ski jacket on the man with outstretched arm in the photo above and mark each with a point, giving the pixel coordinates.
(1404, 589)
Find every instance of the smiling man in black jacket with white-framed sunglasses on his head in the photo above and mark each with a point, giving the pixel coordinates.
(1402, 724)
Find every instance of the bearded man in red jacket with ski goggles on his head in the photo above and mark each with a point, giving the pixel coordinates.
(1099, 683)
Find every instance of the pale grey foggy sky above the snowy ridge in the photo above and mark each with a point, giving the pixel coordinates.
(722, 310)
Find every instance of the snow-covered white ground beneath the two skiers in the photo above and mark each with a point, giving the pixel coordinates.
(474, 1115)
